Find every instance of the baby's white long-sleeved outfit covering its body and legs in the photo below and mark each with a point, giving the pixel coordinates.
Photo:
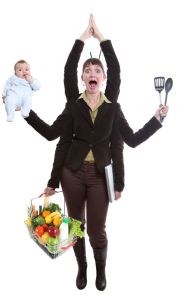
(18, 93)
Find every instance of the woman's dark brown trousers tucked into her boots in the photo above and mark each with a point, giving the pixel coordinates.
(85, 191)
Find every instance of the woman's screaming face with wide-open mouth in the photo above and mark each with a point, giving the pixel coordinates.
(93, 77)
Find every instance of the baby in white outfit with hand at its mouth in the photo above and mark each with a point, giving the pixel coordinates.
(18, 90)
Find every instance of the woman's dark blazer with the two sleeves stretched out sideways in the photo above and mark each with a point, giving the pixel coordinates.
(87, 135)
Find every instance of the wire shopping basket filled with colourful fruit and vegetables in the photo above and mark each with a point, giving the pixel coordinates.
(52, 230)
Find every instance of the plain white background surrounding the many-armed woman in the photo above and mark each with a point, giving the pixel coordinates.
(146, 227)
